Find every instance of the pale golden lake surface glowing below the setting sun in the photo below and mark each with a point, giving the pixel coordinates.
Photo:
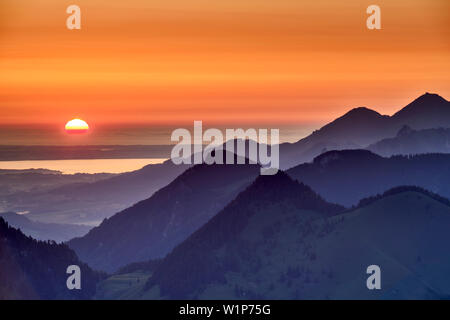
(82, 166)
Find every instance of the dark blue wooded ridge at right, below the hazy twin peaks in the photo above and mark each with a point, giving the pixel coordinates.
(347, 176)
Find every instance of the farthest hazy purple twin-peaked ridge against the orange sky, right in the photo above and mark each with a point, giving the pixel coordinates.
(360, 127)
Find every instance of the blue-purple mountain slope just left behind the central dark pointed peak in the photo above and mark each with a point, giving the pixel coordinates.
(155, 225)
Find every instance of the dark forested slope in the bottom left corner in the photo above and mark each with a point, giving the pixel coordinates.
(31, 269)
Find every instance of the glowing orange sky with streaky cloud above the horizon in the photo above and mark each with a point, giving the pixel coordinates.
(233, 61)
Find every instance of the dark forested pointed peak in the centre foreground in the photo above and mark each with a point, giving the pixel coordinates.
(222, 245)
